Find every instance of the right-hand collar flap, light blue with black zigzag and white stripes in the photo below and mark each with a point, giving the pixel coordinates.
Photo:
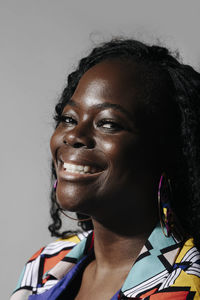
(154, 262)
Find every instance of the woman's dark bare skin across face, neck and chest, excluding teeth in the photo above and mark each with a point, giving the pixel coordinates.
(99, 129)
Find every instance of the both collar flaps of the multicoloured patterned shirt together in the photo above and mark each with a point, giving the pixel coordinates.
(151, 267)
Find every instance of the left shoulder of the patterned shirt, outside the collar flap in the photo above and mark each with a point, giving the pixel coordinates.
(41, 262)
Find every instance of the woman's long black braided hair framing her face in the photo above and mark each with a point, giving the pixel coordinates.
(184, 84)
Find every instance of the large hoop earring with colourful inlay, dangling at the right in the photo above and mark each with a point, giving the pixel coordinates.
(164, 205)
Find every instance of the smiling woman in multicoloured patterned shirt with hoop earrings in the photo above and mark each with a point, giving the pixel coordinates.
(126, 159)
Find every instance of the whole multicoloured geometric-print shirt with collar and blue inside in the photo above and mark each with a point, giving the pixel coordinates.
(165, 269)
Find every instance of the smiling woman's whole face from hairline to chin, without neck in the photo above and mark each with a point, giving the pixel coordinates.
(100, 156)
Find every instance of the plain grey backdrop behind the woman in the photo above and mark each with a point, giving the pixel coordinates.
(40, 43)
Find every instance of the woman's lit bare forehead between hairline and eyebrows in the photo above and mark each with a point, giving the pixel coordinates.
(115, 81)
